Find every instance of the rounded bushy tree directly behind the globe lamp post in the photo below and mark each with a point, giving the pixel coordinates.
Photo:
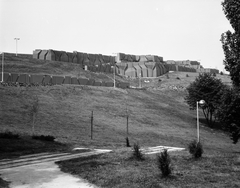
(208, 88)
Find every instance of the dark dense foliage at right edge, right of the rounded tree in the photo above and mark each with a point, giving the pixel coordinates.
(229, 112)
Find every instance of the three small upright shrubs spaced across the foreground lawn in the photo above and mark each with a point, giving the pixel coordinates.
(164, 160)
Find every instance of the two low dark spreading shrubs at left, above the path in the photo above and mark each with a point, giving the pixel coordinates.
(10, 135)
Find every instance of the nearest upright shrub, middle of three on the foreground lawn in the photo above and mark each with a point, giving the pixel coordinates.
(164, 163)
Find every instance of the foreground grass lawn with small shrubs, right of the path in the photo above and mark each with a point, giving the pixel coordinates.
(117, 169)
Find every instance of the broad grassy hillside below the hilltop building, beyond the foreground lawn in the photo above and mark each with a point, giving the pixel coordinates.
(158, 114)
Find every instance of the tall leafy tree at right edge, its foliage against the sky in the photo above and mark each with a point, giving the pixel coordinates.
(231, 40)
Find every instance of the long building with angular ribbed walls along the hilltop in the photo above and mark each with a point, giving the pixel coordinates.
(126, 64)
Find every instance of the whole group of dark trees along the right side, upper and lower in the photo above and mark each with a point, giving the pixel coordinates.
(222, 102)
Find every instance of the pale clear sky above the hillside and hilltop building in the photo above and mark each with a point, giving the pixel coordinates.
(172, 29)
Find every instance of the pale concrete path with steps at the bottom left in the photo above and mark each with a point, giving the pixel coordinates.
(40, 171)
